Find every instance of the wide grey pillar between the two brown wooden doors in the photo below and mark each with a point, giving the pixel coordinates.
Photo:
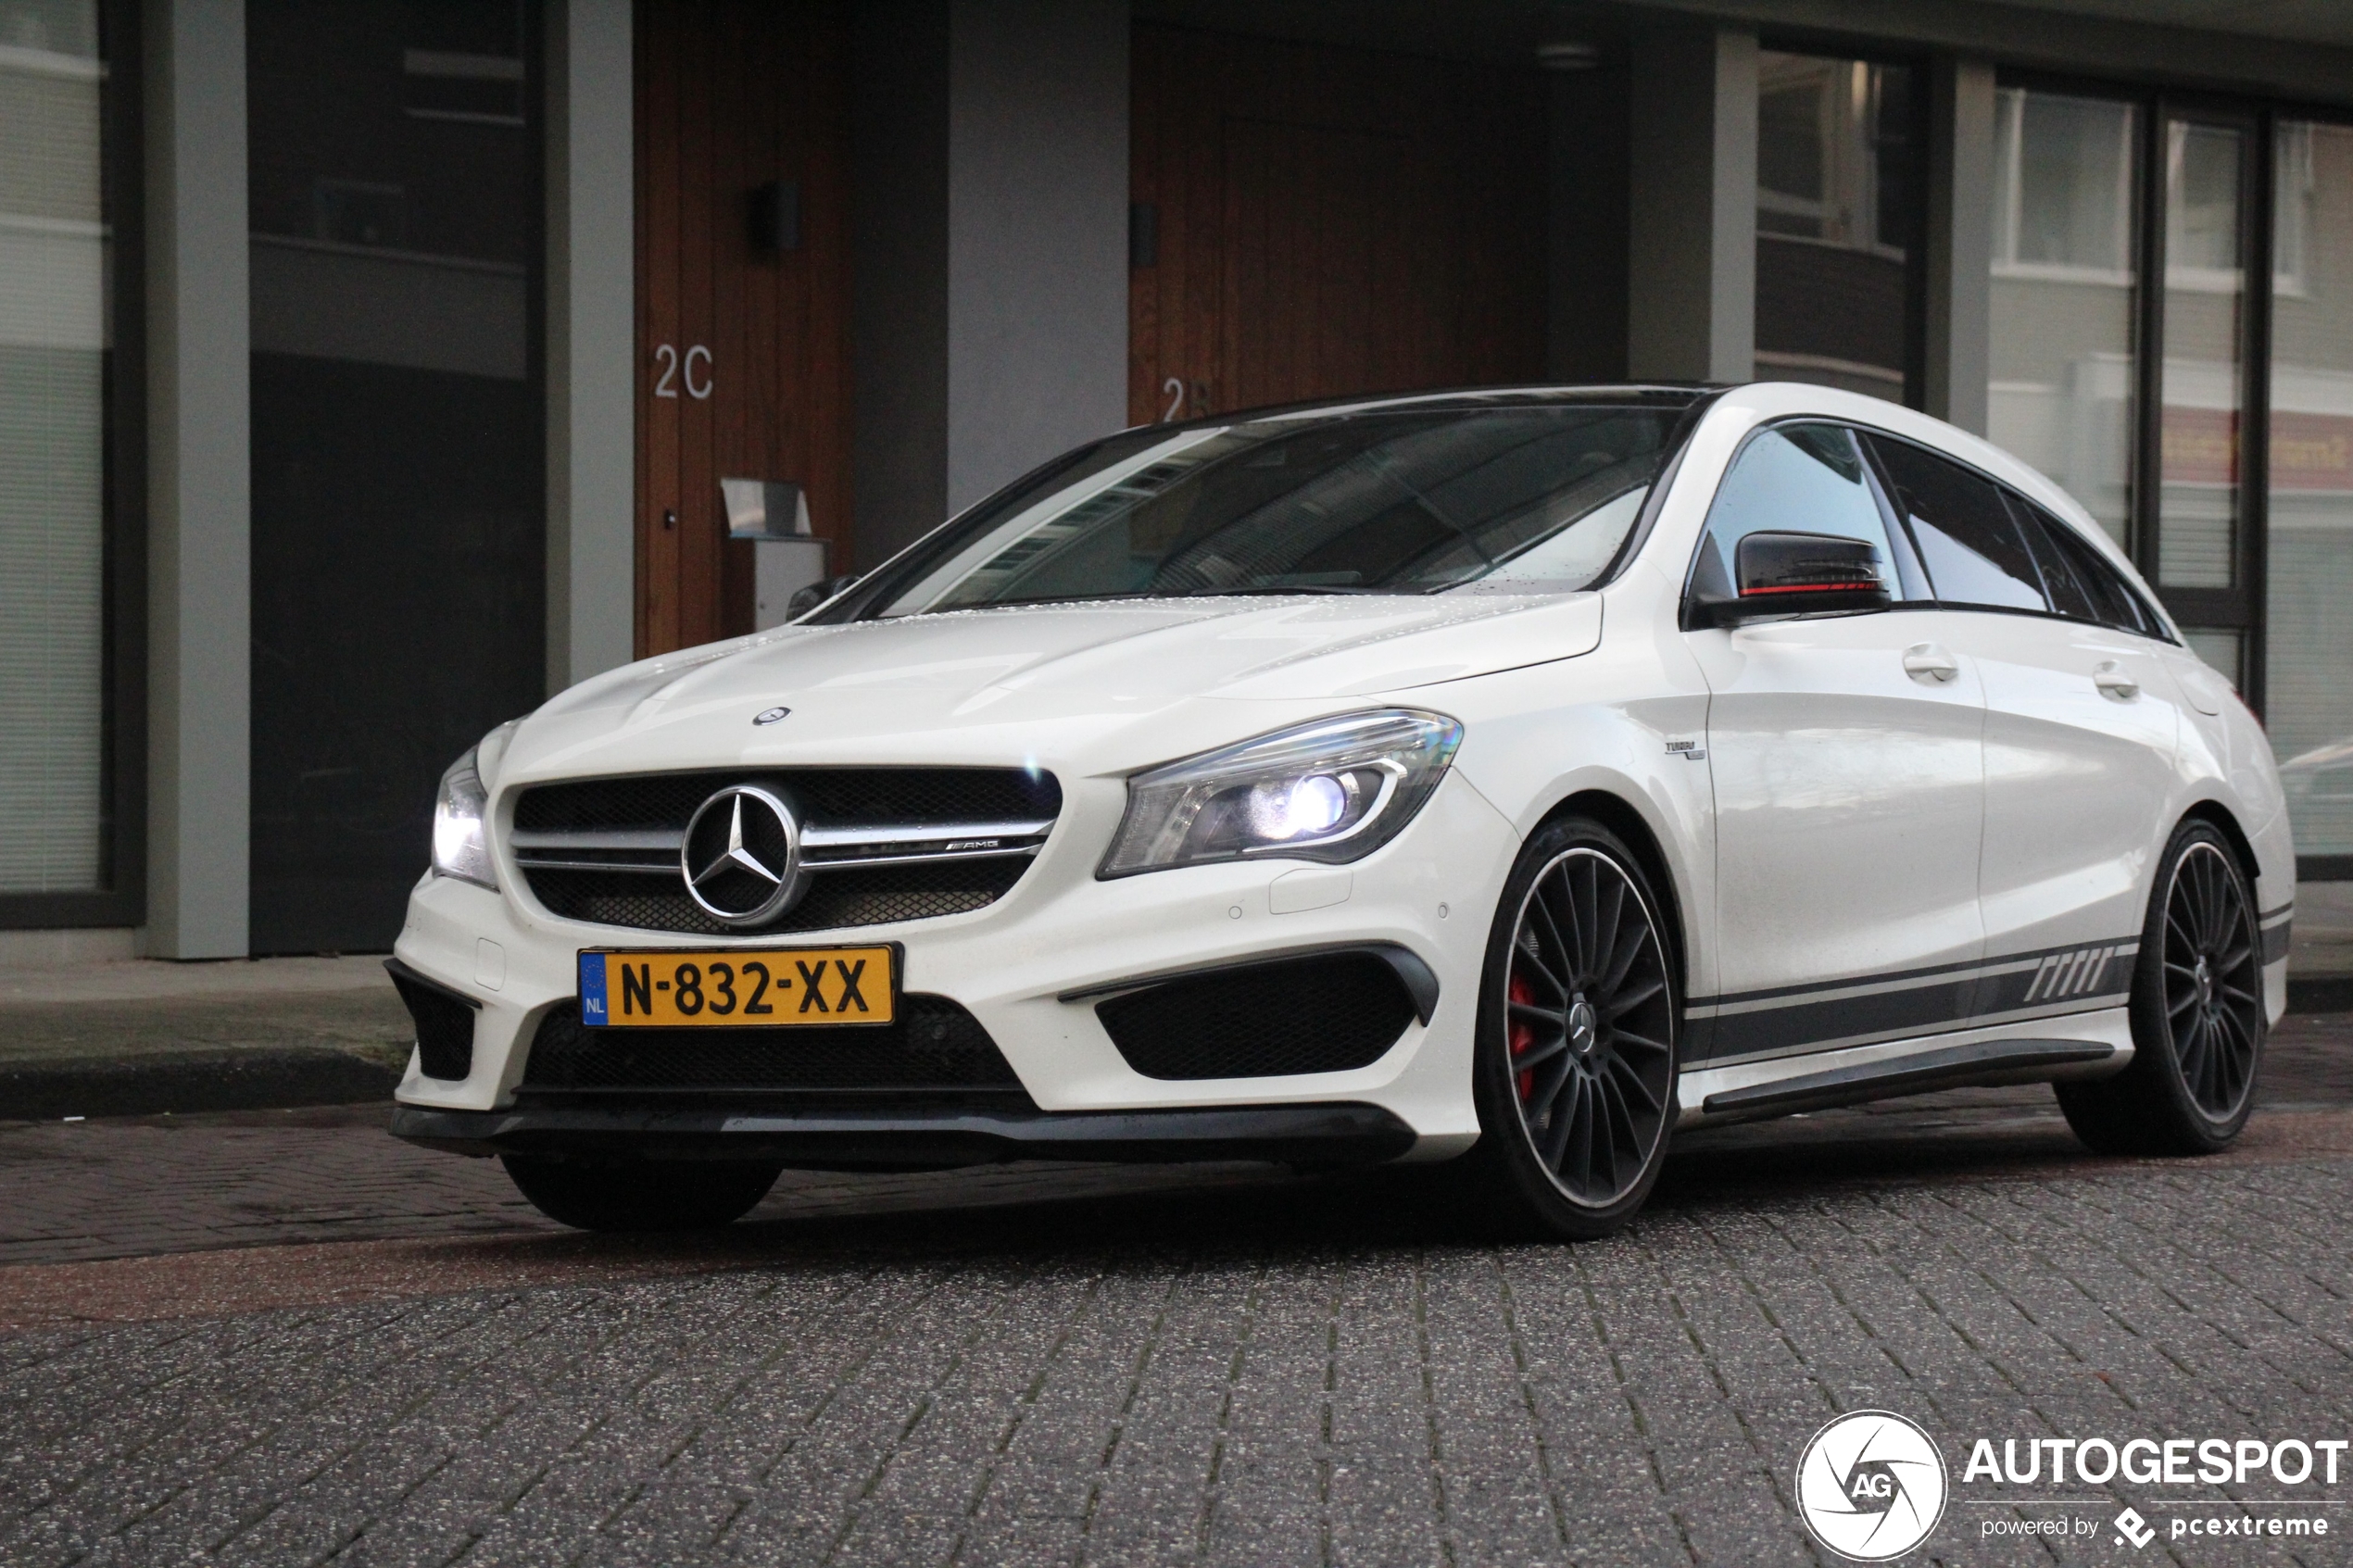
(992, 248)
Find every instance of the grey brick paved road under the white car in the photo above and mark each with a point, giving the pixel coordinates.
(1133, 1369)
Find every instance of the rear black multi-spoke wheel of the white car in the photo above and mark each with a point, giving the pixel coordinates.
(2197, 1014)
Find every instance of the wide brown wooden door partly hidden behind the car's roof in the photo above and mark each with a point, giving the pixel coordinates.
(1321, 222)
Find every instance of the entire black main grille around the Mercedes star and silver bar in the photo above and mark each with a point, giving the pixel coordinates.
(825, 798)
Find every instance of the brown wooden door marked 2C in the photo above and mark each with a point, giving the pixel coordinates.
(742, 344)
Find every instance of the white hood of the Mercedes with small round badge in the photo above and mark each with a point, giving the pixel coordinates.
(978, 683)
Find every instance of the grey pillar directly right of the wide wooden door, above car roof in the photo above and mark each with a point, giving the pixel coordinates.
(1693, 203)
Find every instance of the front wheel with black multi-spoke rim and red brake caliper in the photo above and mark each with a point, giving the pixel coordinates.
(1575, 1061)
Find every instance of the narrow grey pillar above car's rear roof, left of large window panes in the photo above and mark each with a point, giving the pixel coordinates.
(1959, 241)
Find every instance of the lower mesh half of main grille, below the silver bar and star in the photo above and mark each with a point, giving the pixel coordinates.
(836, 899)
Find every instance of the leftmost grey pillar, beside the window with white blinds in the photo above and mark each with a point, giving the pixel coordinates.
(199, 481)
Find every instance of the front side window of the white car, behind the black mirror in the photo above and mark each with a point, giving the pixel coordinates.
(1794, 481)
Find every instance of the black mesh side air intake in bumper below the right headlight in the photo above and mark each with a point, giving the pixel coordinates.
(1321, 1014)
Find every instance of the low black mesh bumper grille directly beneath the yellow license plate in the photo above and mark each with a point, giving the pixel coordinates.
(935, 1047)
